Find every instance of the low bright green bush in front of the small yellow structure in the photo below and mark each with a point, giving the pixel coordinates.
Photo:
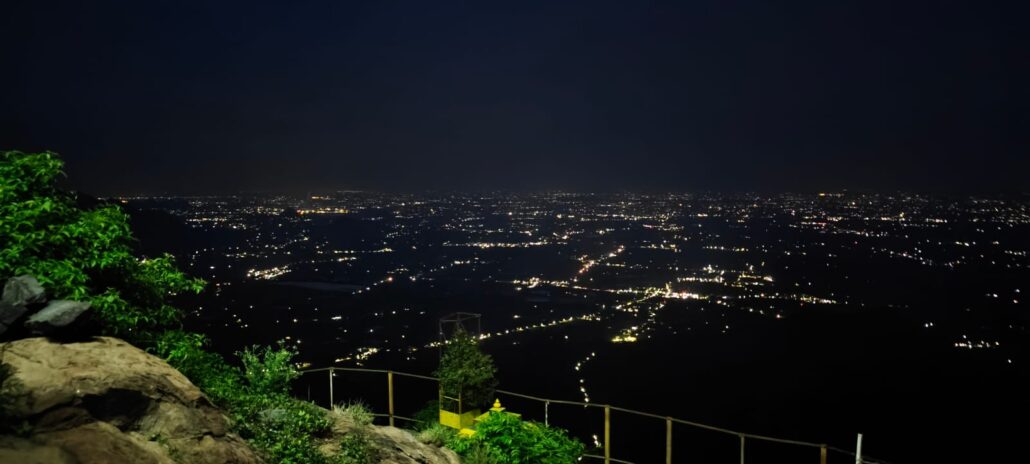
(508, 440)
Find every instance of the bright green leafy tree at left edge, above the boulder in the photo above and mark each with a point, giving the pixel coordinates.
(83, 255)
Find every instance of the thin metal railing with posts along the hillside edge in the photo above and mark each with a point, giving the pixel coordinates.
(823, 449)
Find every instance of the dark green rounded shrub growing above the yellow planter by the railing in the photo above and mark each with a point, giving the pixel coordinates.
(467, 373)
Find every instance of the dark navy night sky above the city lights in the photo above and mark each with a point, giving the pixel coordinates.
(149, 97)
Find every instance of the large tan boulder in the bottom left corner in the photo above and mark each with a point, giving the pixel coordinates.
(107, 402)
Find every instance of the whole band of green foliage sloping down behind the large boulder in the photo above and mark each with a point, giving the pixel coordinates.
(86, 254)
